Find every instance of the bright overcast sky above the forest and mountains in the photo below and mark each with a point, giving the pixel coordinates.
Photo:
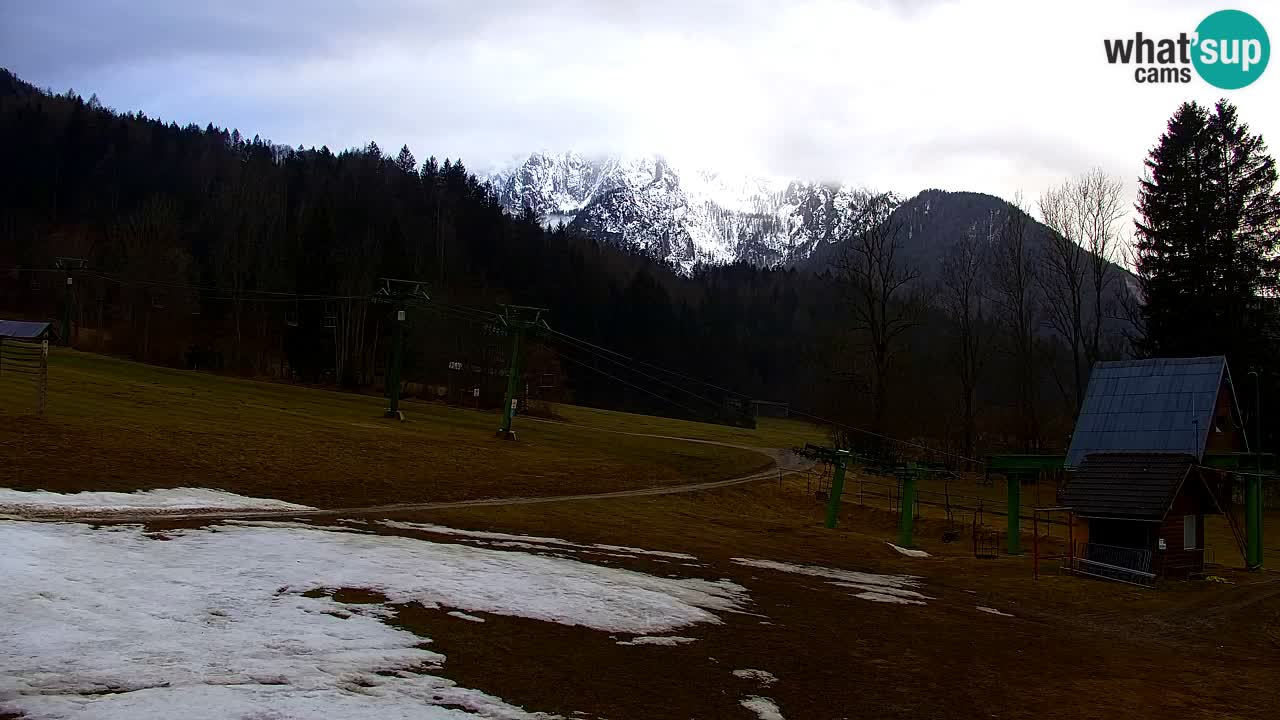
(985, 97)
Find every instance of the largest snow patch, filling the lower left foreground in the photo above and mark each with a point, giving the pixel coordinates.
(214, 623)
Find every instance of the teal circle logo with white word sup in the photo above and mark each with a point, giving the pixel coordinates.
(1232, 49)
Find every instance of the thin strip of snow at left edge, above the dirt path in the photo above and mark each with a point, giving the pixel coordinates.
(166, 500)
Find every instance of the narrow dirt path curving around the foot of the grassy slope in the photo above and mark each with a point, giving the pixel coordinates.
(784, 463)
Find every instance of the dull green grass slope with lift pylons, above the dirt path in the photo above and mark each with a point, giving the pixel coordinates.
(118, 426)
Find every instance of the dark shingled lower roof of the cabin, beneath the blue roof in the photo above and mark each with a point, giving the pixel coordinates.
(1123, 485)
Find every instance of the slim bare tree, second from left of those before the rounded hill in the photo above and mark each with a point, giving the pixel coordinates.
(963, 279)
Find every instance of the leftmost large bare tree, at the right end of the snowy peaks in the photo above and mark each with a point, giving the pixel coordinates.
(877, 288)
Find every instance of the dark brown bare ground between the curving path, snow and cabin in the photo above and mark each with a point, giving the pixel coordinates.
(1075, 649)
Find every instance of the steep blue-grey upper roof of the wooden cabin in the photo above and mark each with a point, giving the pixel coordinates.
(1159, 405)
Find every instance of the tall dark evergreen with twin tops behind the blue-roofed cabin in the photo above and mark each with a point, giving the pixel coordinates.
(1208, 239)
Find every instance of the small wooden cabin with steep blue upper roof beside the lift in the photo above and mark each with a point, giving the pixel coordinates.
(1137, 463)
